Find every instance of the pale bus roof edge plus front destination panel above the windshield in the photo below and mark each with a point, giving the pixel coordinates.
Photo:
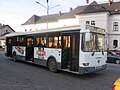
(89, 28)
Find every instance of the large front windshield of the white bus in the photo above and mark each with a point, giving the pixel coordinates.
(93, 42)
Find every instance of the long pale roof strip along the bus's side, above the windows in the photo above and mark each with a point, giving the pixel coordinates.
(66, 28)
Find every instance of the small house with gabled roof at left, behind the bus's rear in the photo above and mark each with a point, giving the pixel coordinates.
(4, 29)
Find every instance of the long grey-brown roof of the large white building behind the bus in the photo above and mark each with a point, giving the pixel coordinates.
(94, 7)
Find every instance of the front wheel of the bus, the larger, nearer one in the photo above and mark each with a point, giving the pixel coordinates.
(52, 65)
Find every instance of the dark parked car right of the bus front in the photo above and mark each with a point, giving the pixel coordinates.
(112, 57)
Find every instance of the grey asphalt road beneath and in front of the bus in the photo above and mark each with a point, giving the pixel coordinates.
(24, 76)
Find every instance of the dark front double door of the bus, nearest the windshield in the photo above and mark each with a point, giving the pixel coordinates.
(70, 51)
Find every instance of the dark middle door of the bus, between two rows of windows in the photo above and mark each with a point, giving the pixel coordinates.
(29, 48)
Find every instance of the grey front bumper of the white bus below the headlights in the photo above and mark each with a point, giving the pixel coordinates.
(86, 70)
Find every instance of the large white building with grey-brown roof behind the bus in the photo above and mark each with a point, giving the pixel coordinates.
(104, 15)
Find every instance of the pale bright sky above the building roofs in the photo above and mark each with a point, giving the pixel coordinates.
(16, 12)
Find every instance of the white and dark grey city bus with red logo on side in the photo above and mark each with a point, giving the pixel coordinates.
(69, 49)
